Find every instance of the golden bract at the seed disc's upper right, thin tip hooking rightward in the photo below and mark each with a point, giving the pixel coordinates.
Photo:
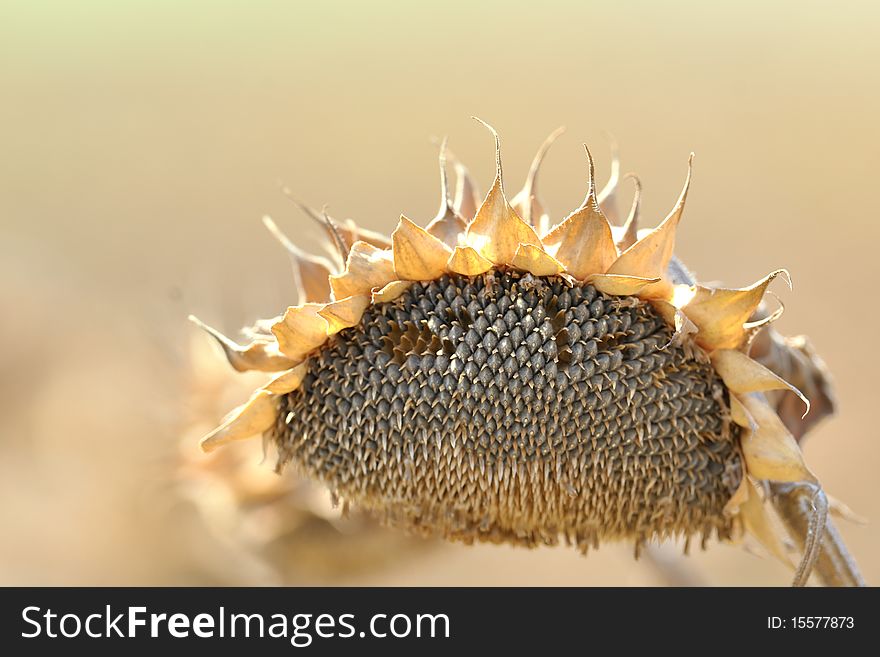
(721, 313)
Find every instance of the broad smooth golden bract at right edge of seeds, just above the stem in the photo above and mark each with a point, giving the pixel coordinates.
(771, 452)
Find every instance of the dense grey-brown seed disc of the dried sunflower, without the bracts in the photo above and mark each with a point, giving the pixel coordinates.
(511, 408)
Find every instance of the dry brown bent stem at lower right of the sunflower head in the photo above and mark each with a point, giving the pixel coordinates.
(800, 507)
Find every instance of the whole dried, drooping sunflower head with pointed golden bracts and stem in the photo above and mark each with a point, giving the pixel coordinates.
(492, 377)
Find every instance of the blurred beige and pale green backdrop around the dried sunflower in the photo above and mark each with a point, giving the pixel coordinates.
(141, 142)
